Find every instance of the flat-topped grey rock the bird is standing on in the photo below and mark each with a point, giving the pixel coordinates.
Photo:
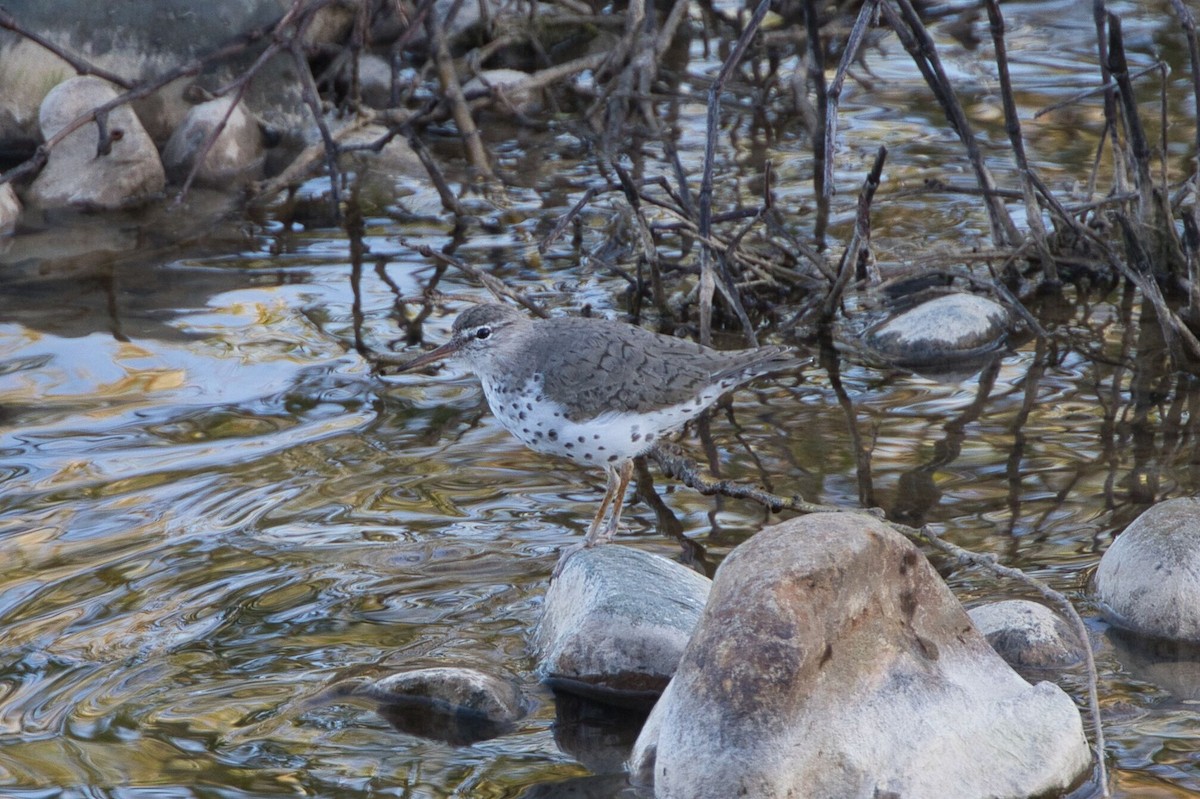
(616, 622)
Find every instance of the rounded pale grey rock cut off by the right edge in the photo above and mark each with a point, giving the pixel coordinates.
(1149, 581)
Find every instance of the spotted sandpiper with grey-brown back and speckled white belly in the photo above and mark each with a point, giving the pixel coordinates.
(596, 392)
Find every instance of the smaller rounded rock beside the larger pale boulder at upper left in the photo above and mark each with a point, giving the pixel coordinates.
(236, 157)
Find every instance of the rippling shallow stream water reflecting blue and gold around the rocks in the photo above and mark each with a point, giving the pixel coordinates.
(212, 509)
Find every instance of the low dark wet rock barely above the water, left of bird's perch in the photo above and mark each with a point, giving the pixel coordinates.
(460, 706)
